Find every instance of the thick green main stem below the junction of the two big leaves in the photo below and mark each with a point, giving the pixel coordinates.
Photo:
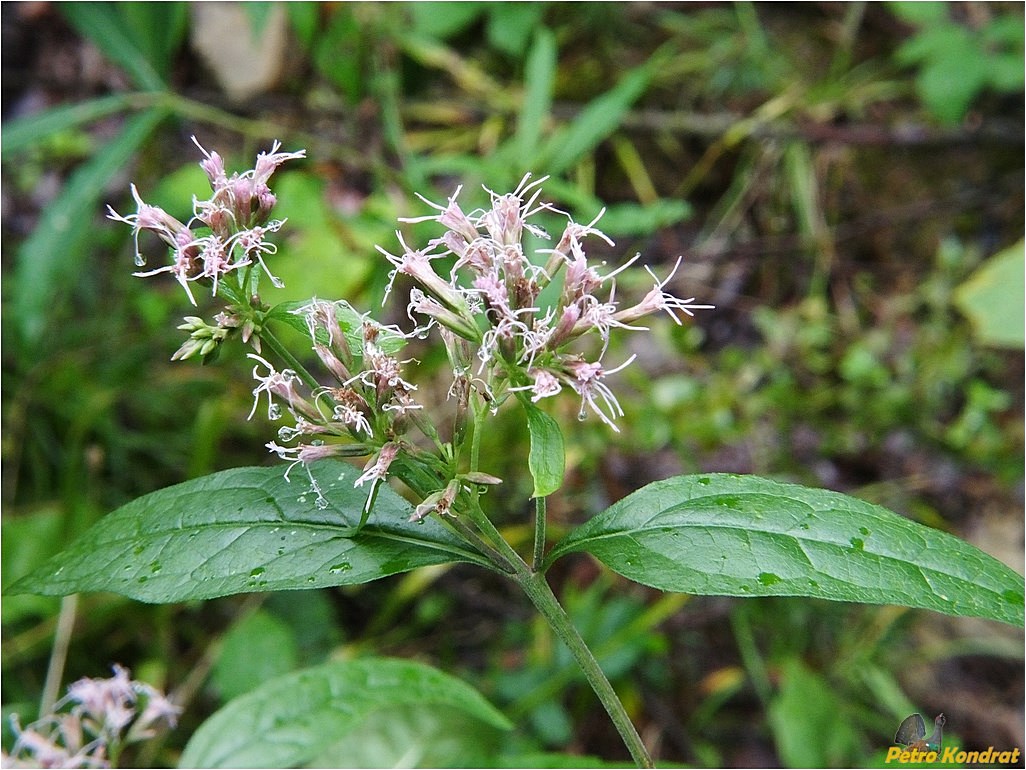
(545, 601)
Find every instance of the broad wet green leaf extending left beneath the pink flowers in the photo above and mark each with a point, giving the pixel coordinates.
(247, 530)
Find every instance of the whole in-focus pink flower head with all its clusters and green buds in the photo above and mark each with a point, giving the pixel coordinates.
(488, 305)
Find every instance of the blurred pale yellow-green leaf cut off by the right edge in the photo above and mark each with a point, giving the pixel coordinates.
(994, 298)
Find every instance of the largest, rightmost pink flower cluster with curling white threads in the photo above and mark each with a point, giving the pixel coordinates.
(522, 345)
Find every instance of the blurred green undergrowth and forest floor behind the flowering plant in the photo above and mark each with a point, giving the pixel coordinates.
(846, 183)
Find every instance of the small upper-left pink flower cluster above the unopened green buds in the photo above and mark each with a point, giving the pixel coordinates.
(232, 224)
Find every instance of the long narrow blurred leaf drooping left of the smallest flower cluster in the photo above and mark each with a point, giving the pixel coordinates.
(52, 256)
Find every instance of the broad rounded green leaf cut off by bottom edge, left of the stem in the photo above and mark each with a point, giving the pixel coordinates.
(370, 713)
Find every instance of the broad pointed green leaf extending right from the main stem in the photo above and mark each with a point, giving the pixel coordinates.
(745, 536)
